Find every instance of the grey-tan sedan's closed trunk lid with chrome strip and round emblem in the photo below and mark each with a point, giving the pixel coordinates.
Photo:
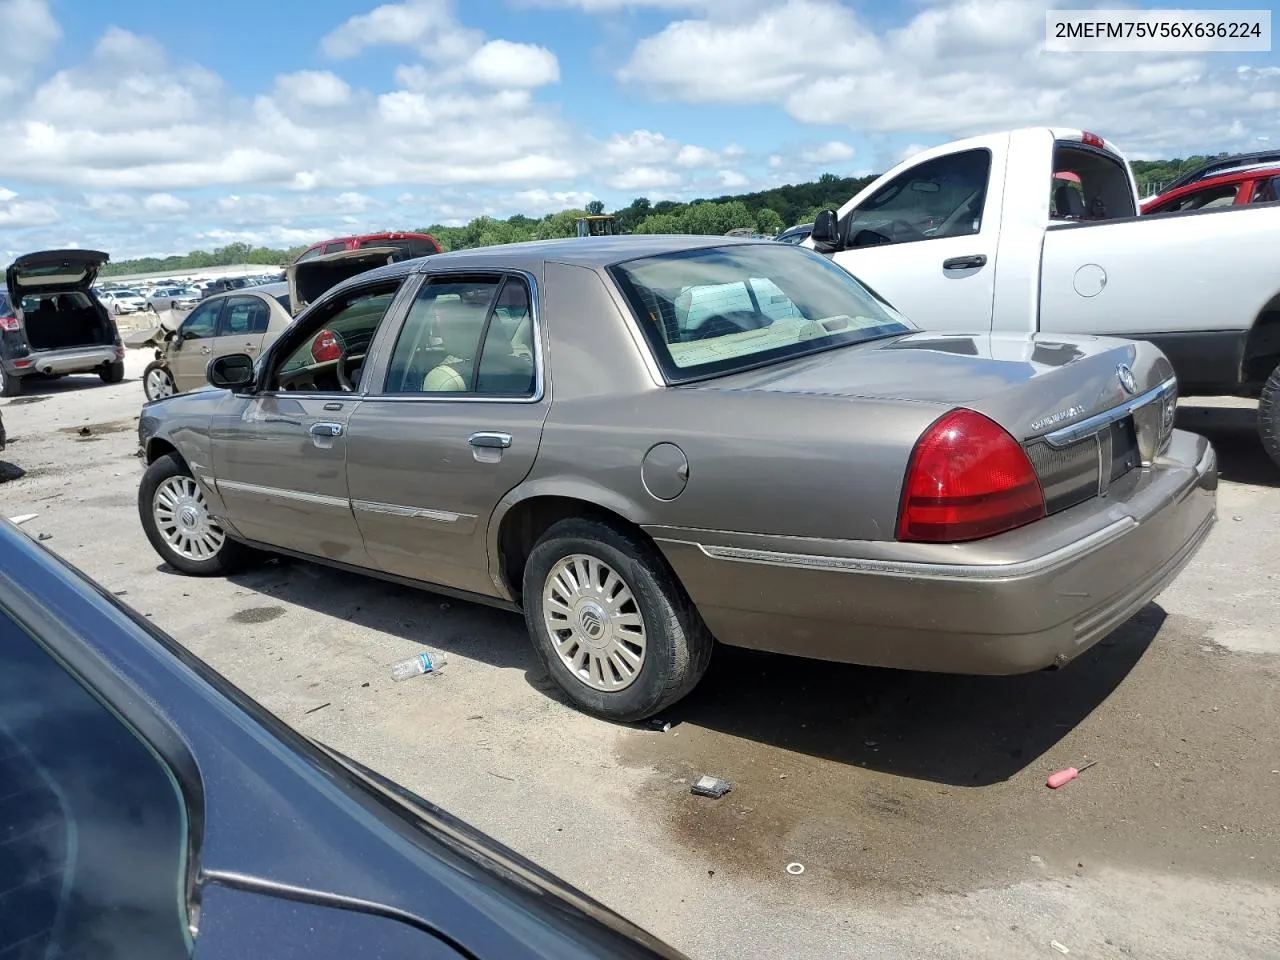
(1087, 410)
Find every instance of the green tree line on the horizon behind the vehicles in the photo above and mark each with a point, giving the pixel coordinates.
(766, 212)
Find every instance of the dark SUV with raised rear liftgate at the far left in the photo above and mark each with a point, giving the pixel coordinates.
(52, 324)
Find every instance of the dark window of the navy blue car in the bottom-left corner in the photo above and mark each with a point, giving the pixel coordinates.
(93, 822)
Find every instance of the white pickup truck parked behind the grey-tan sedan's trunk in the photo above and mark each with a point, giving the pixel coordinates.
(1039, 230)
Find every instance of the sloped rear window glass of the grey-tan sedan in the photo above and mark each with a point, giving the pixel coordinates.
(720, 310)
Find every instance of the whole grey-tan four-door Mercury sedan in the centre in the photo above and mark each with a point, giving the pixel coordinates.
(655, 445)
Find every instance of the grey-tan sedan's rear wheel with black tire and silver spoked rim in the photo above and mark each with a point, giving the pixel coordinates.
(610, 621)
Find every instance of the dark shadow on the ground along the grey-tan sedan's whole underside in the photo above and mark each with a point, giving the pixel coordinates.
(956, 730)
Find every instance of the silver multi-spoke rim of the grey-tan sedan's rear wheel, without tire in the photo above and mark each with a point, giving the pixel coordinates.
(595, 623)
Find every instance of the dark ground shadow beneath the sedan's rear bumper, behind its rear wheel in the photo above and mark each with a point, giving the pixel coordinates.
(945, 729)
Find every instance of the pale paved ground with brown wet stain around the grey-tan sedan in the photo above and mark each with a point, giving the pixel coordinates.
(916, 803)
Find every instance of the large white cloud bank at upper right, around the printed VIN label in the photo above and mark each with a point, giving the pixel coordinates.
(954, 68)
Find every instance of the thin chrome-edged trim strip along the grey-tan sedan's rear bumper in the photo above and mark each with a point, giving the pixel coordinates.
(925, 572)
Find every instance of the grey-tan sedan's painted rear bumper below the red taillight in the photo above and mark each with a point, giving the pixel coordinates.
(822, 600)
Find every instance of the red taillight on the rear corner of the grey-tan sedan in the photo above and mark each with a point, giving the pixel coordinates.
(967, 479)
